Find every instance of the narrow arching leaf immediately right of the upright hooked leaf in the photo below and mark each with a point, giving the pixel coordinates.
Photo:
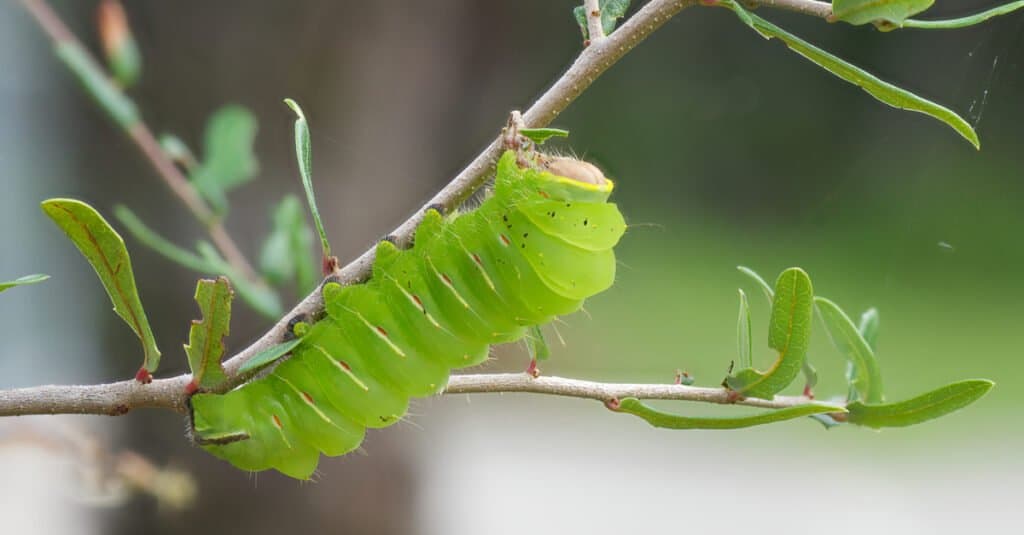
(845, 336)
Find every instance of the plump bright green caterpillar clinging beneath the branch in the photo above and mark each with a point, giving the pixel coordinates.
(535, 250)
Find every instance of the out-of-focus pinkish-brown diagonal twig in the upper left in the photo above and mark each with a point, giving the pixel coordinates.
(144, 139)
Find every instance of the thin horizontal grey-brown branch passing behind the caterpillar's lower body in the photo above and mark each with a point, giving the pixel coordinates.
(118, 398)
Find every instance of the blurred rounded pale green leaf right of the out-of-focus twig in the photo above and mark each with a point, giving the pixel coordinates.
(229, 160)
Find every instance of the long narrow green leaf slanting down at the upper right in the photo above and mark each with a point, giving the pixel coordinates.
(884, 92)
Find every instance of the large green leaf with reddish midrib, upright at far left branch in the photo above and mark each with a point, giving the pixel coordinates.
(106, 252)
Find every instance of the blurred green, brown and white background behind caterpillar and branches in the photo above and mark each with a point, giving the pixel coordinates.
(728, 150)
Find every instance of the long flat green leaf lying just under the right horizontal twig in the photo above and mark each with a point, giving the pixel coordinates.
(675, 422)
